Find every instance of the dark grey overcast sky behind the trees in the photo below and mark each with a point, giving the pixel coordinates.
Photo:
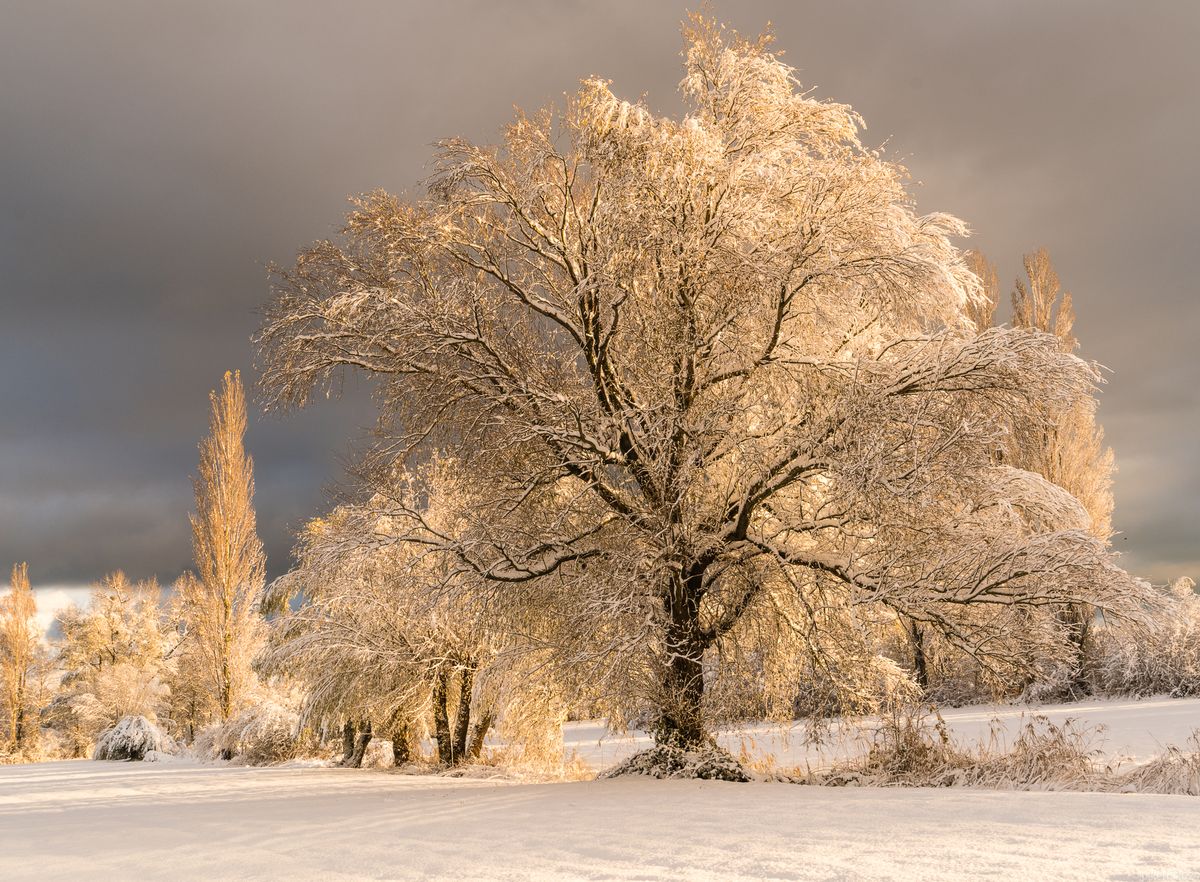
(157, 157)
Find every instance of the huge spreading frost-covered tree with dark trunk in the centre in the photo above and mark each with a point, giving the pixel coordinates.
(717, 393)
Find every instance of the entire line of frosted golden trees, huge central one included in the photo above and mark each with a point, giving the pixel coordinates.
(681, 424)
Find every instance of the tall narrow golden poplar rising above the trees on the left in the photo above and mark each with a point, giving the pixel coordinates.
(220, 603)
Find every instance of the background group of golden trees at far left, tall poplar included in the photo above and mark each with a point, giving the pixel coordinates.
(184, 659)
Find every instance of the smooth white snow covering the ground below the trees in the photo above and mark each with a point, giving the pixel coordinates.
(179, 820)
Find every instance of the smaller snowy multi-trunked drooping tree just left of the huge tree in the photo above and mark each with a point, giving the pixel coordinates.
(387, 638)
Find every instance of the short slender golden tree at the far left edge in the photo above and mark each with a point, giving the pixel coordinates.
(21, 653)
